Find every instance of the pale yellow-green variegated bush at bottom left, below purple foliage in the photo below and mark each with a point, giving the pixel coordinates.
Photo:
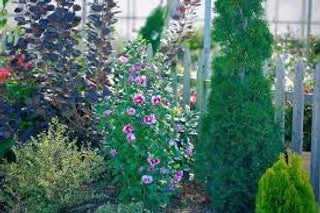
(49, 173)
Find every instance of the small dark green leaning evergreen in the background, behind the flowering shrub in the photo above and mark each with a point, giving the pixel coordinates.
(152, 31)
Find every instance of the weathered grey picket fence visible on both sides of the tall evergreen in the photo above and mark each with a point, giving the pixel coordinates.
(201, 84)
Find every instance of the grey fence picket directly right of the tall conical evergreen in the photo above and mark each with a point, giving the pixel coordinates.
(280, 96)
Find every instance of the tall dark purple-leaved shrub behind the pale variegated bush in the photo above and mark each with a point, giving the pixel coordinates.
(47, 56)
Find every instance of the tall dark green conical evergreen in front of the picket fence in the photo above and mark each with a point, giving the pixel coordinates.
(239, 139)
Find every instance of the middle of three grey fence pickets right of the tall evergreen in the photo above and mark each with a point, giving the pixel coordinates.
(298, 109)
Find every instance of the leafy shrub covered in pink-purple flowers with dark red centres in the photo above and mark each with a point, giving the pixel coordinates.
(143, 130)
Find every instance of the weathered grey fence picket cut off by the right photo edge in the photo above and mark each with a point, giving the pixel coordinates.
(315, 141)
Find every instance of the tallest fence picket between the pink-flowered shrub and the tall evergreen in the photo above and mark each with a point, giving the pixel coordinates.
(186, 78)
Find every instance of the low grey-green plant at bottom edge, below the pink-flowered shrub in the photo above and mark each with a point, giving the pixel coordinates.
(131, 208)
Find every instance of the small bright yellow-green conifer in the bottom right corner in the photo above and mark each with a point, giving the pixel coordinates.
(285, 188)
